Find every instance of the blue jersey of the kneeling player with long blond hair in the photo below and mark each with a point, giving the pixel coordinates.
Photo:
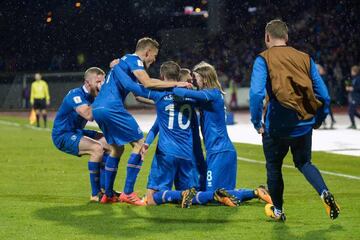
(212, 118)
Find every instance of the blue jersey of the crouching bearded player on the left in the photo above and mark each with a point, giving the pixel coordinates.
(67, 119)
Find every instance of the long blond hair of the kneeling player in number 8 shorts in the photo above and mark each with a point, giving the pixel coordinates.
(209, 75)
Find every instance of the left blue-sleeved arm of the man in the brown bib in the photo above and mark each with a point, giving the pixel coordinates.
(257, 92)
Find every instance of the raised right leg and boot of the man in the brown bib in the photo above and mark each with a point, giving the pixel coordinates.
(301, 151)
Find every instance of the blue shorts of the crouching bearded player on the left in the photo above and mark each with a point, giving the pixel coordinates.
(69, 141)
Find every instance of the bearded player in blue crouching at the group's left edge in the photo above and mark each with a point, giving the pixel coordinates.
(68, 132)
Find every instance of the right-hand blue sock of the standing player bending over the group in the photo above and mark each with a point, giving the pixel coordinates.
(133, 168)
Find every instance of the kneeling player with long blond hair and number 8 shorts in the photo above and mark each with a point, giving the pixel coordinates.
(221, 157)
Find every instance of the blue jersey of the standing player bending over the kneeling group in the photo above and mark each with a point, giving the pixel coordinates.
(113, 92)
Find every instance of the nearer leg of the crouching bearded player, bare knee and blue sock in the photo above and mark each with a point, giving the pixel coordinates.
(94, 149)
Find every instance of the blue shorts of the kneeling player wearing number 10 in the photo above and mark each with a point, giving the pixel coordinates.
(167, 170)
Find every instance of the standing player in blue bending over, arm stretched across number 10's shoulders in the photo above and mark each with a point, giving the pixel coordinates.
(118, 125)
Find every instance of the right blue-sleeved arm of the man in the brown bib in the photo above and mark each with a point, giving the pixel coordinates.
(321, 94)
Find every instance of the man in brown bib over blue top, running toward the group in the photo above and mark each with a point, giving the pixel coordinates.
(298, 101)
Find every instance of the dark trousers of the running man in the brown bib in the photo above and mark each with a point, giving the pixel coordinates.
(275, 149)
